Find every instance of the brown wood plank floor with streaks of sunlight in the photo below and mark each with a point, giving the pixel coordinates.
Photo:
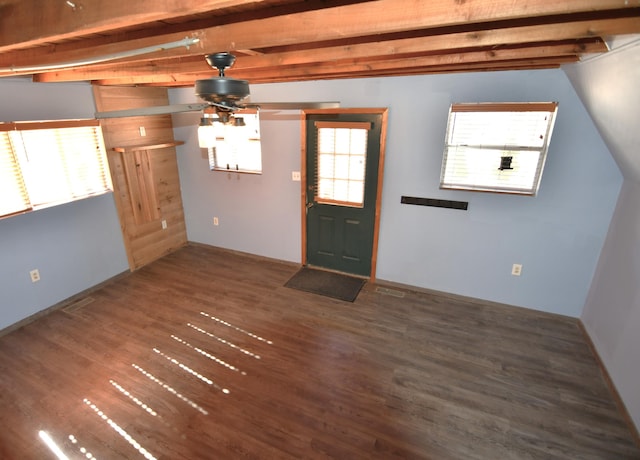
(204, 354)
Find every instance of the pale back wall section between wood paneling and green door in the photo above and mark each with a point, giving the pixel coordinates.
(258, 214)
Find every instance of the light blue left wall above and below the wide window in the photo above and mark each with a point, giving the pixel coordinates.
(74, 246)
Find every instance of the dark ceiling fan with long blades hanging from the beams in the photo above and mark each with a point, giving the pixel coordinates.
(222, 96)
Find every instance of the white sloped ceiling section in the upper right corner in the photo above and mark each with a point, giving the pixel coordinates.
(609, 87)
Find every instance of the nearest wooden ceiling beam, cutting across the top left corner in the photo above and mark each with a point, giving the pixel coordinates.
(32, 22)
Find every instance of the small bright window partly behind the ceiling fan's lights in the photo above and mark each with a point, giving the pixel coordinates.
(237, 147)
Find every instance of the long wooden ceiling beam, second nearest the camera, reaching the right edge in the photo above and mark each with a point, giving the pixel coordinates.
(327, 24)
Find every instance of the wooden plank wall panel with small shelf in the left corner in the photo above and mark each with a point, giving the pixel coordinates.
(146, 192)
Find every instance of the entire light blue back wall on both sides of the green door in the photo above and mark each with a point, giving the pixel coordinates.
(556, 236)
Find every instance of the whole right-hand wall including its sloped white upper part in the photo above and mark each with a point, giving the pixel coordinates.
(609, 87)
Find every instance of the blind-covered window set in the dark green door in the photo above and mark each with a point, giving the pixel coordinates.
(341, 163)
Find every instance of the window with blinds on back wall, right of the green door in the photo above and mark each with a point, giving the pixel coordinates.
(497, 147)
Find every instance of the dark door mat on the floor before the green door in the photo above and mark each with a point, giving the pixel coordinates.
(335, 285)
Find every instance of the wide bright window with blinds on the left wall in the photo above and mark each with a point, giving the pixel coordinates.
(49, 163)
